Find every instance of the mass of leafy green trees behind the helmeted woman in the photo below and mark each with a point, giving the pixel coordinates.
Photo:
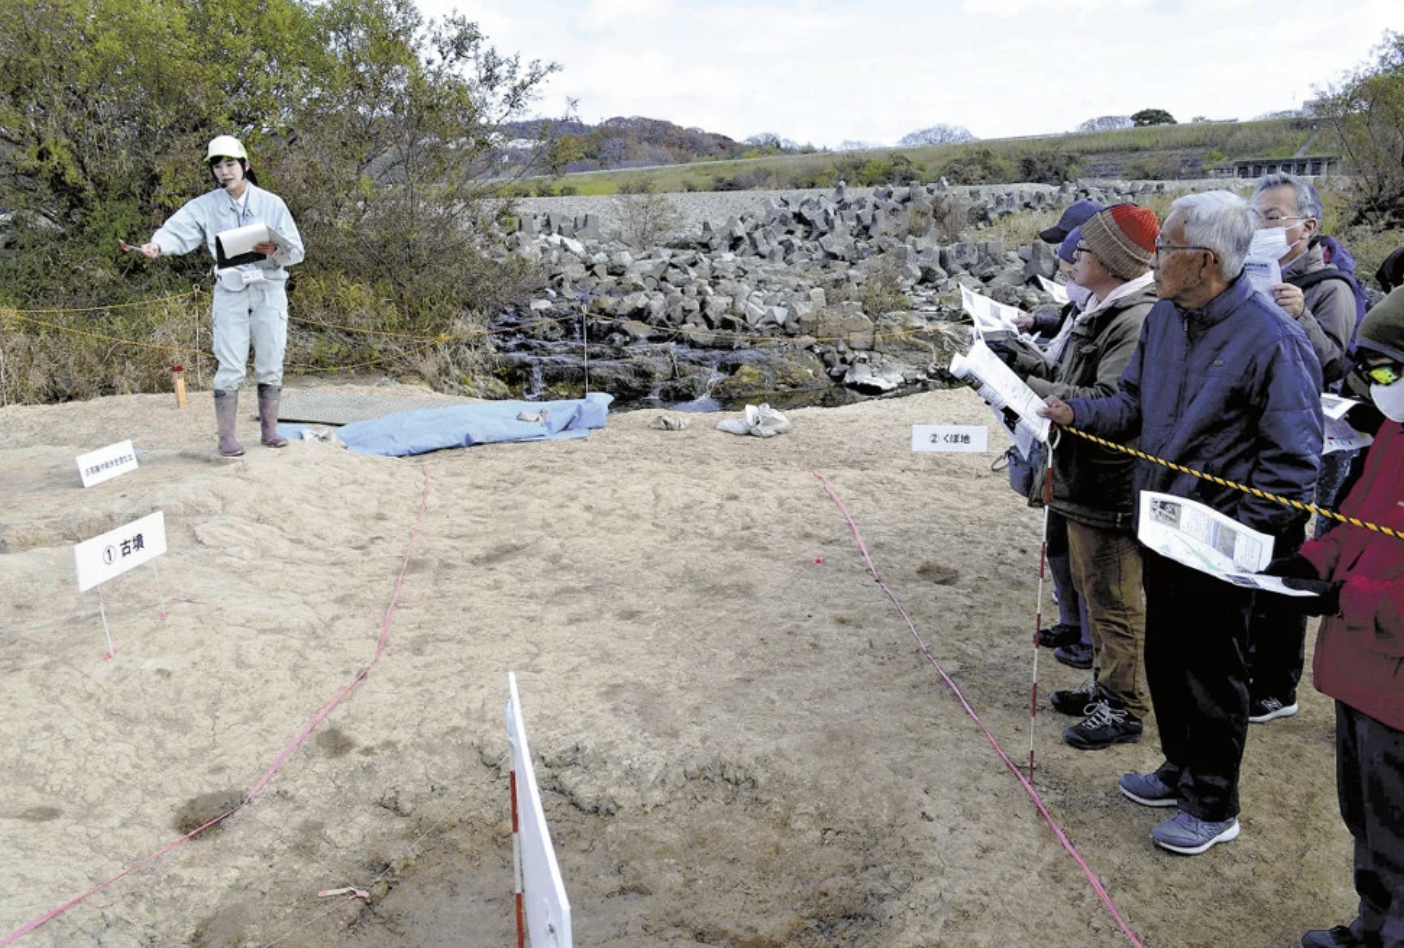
(376, 126)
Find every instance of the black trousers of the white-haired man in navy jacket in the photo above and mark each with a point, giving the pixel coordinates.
(1197, 637)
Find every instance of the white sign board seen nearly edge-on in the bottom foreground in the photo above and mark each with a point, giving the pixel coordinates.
(544, 894)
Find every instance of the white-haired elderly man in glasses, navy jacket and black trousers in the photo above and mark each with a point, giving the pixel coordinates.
(1225, 384)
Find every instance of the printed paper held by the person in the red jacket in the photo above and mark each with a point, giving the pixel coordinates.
(1204, 540)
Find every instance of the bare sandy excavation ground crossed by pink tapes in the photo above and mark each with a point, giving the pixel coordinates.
(738, 737)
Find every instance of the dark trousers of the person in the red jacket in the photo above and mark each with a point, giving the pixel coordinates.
(1370, 780)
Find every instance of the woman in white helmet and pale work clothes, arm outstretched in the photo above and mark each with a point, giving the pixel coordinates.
(251, 298)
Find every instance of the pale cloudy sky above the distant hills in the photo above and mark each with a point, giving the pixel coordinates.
(873, 71)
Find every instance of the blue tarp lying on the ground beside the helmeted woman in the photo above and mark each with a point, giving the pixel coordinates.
(461, 426)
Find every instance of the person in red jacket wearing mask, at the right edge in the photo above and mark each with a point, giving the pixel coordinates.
(1358, 577)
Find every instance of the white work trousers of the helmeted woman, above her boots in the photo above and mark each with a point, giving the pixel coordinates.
(258, 312)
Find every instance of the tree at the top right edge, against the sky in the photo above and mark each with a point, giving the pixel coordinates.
(1367, 113)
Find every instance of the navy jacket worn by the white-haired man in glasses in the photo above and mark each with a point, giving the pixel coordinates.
(1232, 391)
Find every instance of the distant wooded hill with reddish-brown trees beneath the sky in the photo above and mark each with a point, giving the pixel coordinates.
(621, 144)
